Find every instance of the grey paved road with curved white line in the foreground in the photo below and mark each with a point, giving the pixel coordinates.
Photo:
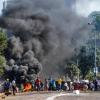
(55, 96)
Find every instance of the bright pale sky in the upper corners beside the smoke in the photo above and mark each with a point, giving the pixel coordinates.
(82, 7)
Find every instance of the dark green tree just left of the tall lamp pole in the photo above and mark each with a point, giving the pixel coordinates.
(86, 62)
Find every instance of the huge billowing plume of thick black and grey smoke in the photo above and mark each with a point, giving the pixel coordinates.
(45, 32)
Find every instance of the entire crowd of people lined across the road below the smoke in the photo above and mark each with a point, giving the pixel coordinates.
(49, 85)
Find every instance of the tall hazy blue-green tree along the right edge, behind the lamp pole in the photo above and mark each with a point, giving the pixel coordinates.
(95, 20)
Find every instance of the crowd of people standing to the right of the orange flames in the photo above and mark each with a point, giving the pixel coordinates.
(60, 84)
